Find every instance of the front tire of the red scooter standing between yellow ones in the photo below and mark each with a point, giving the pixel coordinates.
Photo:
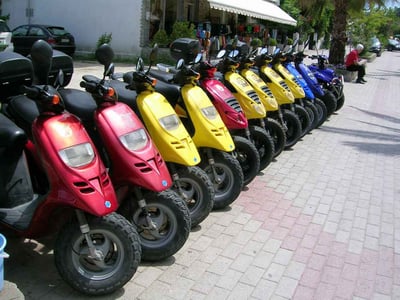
(248, 157)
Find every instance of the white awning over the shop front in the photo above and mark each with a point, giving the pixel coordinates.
(254, 8)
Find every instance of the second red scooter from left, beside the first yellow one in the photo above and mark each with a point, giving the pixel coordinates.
(138, 172)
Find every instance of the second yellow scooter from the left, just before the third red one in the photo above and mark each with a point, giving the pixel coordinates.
(207, 129)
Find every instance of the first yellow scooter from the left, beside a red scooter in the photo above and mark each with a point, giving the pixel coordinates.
(171, 138)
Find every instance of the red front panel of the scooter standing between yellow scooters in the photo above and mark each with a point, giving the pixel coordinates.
(224, 101)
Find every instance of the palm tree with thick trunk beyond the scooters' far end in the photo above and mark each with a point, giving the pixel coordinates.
(340, 15)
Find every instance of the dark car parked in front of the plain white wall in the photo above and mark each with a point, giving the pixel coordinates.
(58, 37)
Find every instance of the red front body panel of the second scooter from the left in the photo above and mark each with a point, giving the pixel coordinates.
(142, 166)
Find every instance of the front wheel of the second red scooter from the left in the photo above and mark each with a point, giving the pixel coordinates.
(171, 216)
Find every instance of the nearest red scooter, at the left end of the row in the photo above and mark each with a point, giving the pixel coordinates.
(53, 181)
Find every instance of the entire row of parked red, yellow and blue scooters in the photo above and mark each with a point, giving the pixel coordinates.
(122, 169)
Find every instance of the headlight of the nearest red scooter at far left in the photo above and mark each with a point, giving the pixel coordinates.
(77, 156)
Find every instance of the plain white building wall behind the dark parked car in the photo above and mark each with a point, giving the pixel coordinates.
(87, 20)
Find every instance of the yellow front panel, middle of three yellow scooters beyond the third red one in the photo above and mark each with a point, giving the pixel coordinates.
(266, 96)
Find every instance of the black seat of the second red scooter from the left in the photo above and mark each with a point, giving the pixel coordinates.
(79, 103)
